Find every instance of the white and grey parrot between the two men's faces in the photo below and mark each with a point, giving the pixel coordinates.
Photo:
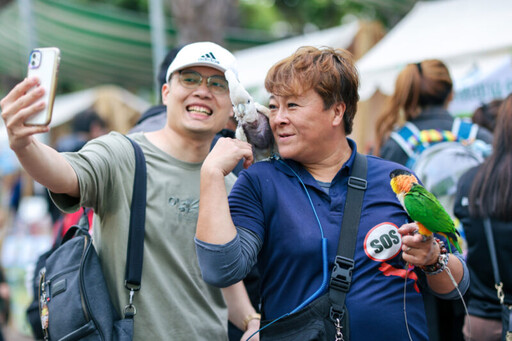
(252, 118)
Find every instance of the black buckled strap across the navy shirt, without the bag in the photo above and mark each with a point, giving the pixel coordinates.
(341, 274)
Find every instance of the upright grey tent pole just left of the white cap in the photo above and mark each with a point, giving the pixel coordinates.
(158, 46)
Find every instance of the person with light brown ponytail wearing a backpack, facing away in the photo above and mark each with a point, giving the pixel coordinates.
(422, 94)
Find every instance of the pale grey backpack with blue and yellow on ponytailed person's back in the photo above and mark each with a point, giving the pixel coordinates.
(440, 157)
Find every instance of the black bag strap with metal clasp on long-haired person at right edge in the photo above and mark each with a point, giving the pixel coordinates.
(506, 310)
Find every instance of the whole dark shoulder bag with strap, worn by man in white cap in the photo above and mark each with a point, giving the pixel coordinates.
(74, 302)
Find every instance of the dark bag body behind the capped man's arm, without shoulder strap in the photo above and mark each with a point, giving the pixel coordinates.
(74, 302)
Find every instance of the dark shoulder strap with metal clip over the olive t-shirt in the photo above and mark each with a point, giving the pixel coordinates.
(135, 252)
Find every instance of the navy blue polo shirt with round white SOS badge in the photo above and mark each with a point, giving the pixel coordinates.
(269, 200)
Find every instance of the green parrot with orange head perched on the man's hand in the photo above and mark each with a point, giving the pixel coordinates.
(423, 207)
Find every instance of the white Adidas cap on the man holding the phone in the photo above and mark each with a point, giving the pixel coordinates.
(203, 54)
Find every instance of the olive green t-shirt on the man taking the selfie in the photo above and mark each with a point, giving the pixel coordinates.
(174, 303)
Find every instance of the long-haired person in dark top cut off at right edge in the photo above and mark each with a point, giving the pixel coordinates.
(486, 192)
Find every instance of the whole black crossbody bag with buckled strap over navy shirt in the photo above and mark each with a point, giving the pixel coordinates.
(327, 317)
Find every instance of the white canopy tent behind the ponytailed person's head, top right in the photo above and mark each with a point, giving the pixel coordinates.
(471, 36)
